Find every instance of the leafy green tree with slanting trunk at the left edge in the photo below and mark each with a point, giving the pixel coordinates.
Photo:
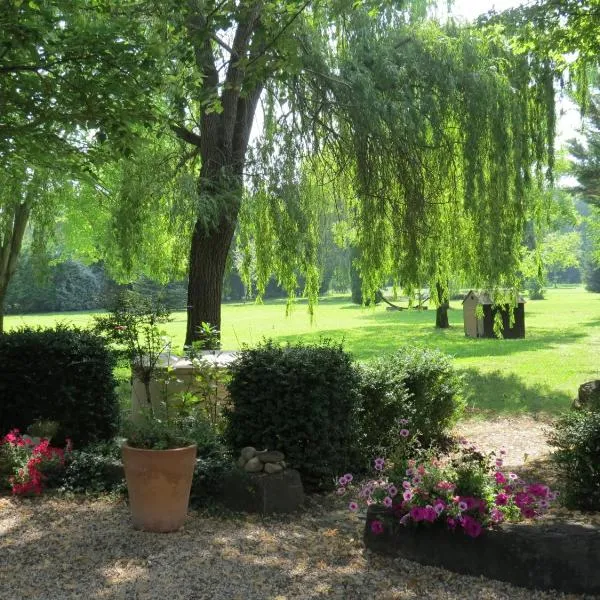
(72, 73)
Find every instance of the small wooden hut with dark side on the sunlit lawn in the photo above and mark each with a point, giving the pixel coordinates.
(484, 326)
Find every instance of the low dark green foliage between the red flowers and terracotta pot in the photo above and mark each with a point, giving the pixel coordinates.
(95, 469)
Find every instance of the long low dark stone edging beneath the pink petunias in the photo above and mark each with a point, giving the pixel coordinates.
(561, 556)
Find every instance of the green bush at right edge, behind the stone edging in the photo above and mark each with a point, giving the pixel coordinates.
(576, 438)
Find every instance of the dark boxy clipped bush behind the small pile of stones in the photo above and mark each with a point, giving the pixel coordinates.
(300, 399)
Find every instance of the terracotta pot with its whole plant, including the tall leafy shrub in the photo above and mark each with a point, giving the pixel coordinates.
(159, 454)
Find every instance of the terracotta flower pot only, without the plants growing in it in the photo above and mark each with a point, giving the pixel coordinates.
(159, 483)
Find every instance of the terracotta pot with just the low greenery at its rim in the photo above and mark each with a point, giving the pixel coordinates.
(159, 459)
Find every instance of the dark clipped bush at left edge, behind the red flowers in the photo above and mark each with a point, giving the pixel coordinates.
(63, 375)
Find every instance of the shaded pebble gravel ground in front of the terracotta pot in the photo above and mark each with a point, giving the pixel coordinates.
(58, 550)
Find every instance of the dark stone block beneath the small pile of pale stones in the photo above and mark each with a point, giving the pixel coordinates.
(261, 493)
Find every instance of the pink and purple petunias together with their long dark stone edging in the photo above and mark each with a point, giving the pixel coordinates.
(463, 511)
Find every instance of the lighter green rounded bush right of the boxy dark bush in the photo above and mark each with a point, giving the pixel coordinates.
(413, 383)
